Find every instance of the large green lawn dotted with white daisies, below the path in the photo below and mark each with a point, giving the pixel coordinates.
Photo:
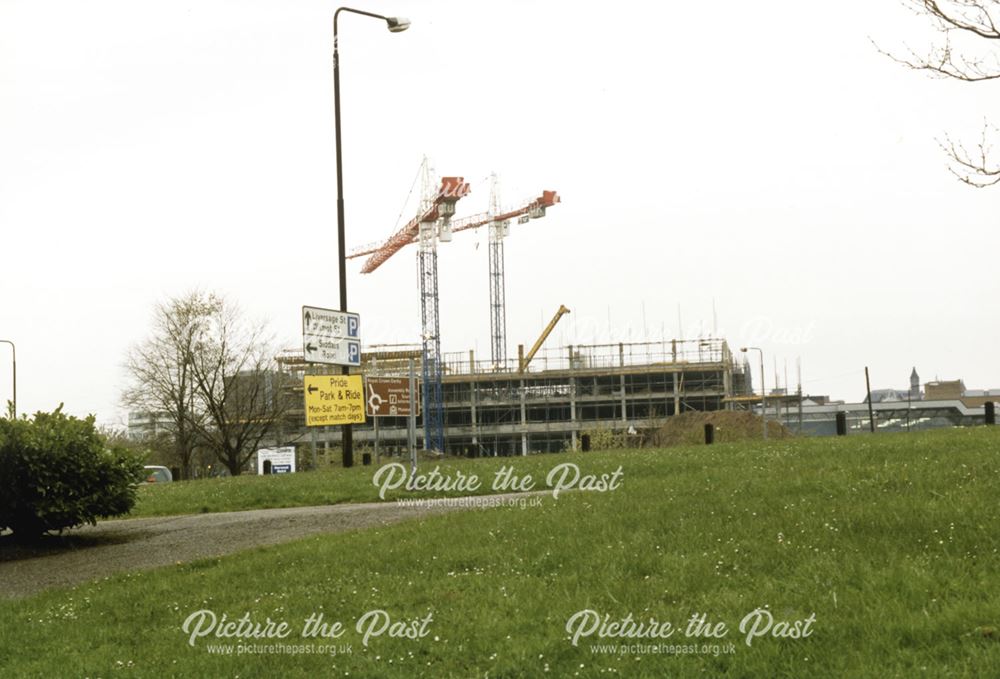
(890, 541)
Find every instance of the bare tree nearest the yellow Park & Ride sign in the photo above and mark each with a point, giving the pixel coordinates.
(238, 386)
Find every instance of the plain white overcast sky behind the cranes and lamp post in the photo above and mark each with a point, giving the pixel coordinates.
(761, 155)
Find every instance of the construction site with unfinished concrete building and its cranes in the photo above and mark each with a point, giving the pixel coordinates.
(545, 398)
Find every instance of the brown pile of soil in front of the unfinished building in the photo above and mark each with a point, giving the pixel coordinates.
(730, 426)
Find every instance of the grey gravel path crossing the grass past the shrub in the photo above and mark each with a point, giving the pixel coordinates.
(93, 552)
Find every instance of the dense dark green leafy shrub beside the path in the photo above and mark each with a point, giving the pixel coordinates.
(57, 471)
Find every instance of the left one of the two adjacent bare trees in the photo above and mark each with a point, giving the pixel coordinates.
(160, 370)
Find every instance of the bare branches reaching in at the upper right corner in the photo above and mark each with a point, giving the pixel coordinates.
(966, 49)
